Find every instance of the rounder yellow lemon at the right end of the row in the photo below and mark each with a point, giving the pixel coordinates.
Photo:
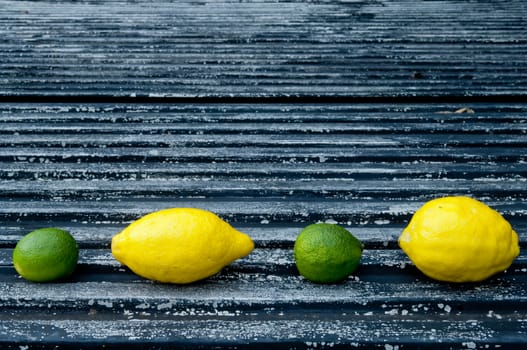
(459, 239)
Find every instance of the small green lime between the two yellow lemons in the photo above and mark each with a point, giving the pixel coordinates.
(326, 253)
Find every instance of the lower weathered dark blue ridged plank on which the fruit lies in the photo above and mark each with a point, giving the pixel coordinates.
(269, 170)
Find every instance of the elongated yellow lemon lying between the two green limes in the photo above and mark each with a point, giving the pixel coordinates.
(179, 245)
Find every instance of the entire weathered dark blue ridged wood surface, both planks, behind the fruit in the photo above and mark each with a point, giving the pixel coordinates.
(113, 109)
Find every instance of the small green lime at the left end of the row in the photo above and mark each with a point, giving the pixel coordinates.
(46, 255)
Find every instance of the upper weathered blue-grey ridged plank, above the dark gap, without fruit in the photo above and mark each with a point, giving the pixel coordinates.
(159, 48)
